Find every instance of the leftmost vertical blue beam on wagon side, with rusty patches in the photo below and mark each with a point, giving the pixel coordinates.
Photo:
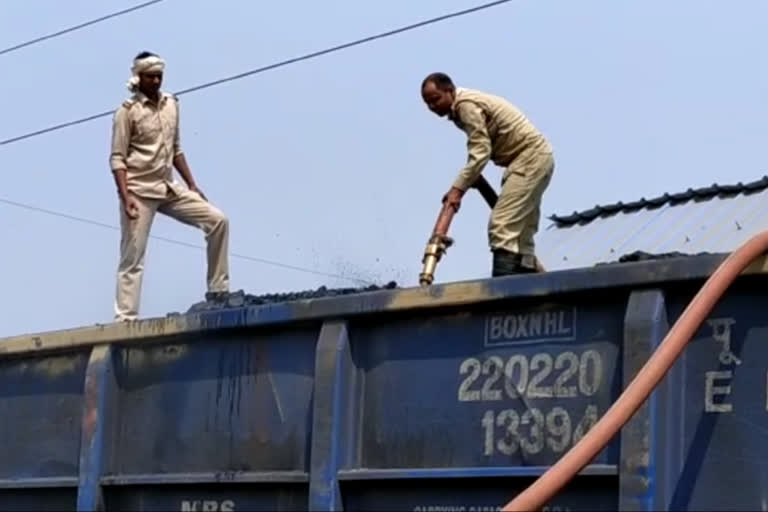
(99, 396)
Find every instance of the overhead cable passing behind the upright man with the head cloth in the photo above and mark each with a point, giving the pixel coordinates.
(272, 66)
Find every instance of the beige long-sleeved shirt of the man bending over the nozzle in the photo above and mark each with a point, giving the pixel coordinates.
(496, 130)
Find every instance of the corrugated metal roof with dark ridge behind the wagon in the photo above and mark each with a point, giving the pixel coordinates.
(713, 219)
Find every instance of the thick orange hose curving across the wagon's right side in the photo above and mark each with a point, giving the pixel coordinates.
(542, 490)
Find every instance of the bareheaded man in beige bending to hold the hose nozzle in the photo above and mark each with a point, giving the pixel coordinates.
(497, 131)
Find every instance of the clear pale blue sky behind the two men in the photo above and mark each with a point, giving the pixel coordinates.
(335, 164)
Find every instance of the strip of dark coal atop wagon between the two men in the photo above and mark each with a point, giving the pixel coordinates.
(241, 299)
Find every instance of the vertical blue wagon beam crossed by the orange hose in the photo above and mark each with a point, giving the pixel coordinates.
(645, 325)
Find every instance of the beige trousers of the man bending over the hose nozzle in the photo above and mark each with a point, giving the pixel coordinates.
(515, 219)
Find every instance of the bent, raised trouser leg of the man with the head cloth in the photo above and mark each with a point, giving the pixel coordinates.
(191, 209)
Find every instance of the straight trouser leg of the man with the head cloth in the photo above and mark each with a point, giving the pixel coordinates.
(130, 270)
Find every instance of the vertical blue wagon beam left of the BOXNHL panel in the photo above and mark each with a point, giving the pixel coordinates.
(333, 431)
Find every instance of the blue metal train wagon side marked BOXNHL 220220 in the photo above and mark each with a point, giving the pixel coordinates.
(447, 399)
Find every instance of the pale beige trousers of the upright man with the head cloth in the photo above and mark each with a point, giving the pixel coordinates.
(187, 207)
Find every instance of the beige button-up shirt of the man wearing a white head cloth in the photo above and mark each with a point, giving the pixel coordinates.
(145, 140)
